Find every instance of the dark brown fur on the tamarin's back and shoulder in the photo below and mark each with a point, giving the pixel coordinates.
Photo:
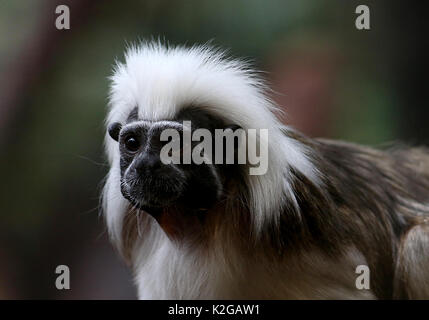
(371, 199)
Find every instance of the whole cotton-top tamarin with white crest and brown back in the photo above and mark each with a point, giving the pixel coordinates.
(213, 230)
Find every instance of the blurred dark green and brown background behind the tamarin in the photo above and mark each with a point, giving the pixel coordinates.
(332, 79)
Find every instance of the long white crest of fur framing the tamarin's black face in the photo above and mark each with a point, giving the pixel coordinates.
(161, 80)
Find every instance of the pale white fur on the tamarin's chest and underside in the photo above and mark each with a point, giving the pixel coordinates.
(164, 271)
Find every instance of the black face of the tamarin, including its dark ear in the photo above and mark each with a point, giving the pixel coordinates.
(150, 182)
